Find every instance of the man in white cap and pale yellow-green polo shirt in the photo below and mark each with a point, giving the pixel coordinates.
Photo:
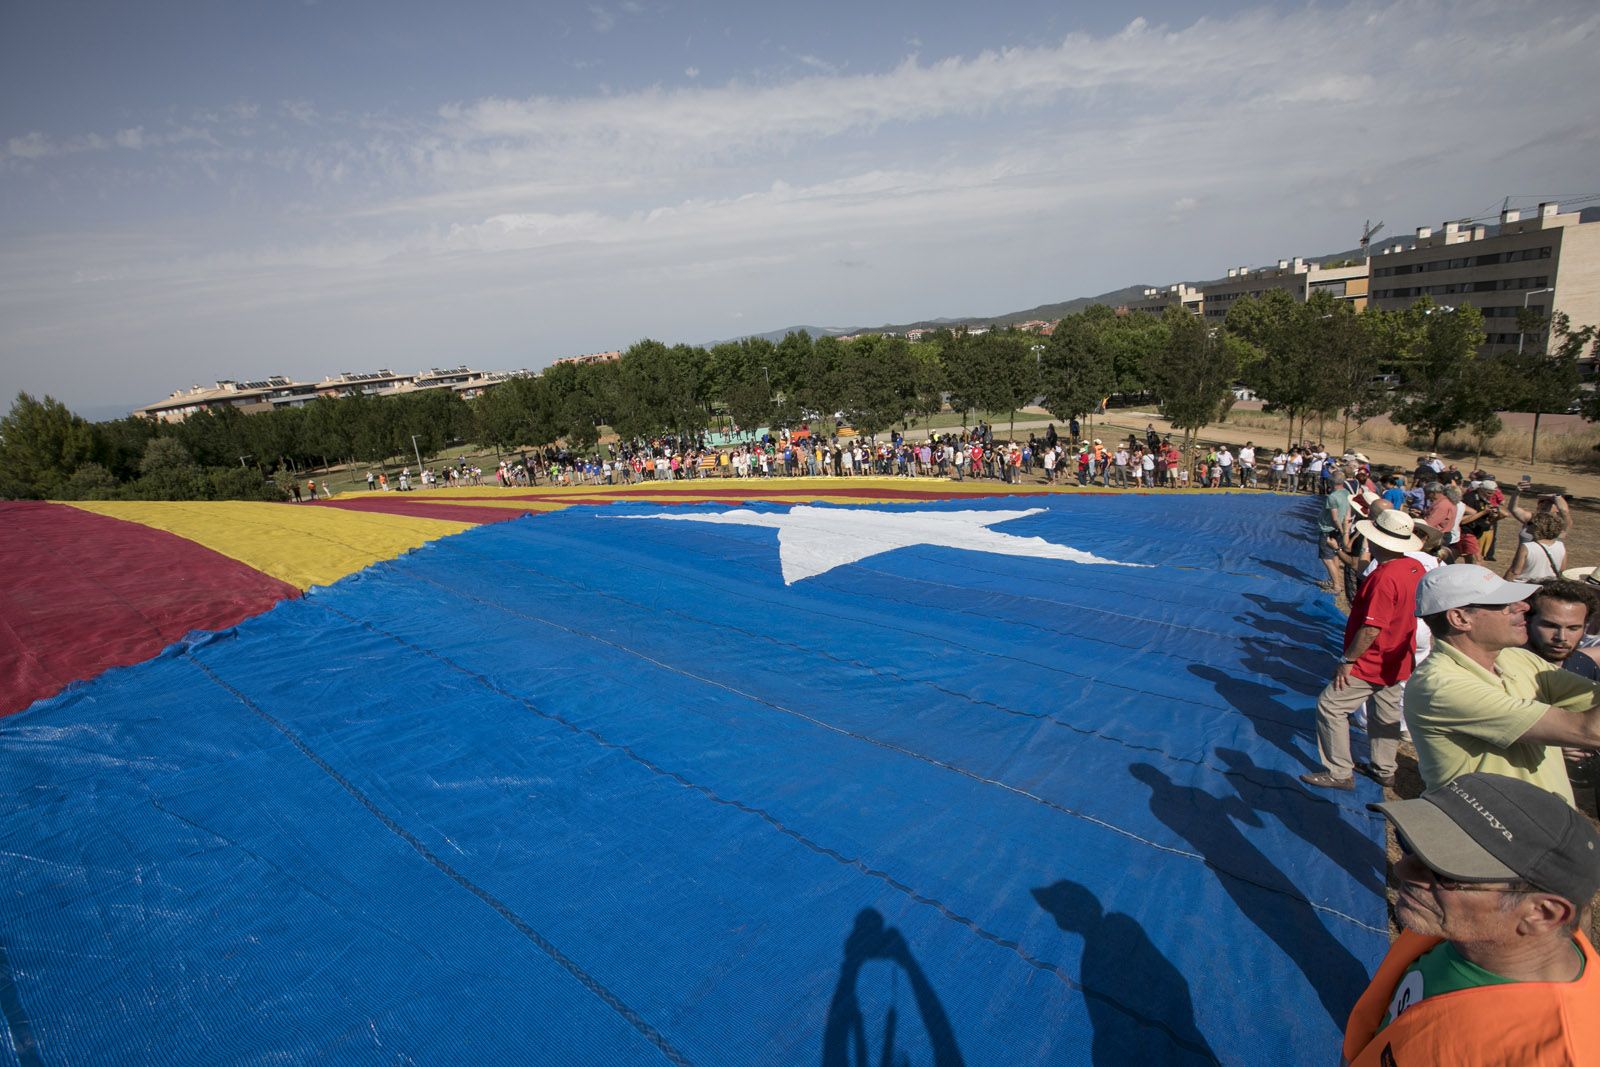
(1482, 701)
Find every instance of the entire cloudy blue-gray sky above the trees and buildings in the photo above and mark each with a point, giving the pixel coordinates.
(194, 191)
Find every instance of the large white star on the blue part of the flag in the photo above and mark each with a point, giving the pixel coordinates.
(815, 540)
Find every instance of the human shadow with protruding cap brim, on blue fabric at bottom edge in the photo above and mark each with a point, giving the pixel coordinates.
(1138, 1002)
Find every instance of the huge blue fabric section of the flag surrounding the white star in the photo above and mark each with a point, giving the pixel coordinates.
(588, 788)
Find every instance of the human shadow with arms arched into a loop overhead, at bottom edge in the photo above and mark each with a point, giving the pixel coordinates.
(846, 1039)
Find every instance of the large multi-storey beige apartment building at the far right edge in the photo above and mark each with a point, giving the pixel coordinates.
(1548, 263)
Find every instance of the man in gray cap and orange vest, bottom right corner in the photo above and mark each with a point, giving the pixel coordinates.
(1492, 965)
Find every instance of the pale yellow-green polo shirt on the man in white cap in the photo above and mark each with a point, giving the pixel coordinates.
(1466, 719)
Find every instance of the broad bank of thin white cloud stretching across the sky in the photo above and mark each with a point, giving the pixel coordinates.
(972, 185)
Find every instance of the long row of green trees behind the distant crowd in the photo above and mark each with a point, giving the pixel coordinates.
(1308, 359)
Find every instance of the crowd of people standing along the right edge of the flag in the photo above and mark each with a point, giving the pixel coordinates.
(1497, 681)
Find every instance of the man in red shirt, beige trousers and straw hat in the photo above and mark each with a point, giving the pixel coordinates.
(1380, 639)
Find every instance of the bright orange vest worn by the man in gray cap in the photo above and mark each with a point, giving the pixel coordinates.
(1532, 1025)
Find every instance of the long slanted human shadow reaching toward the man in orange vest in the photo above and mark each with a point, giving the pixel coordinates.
(1262, 893)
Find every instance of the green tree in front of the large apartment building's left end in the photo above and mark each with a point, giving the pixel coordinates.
(1446, 382)
